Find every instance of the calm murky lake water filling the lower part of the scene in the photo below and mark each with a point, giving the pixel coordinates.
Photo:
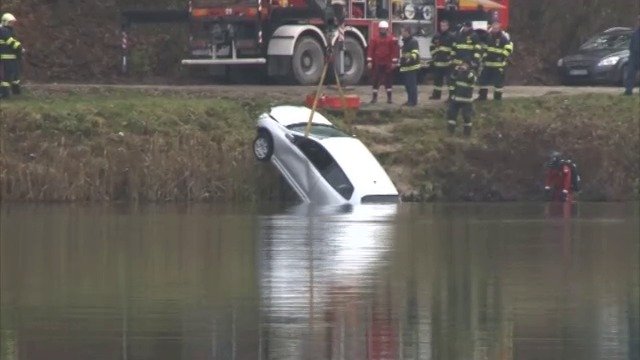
(509, 281)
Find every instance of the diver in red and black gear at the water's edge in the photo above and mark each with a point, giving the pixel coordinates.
(562, 178)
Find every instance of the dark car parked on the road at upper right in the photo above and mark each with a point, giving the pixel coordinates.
(602, 59)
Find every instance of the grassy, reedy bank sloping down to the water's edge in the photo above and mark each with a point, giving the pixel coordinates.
(139, 145)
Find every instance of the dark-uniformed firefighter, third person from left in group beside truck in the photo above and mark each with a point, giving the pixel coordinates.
(441, 50)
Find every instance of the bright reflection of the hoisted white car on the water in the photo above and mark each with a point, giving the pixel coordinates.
(318, 275)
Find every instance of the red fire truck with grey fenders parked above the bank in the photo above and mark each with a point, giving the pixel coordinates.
(288, 39)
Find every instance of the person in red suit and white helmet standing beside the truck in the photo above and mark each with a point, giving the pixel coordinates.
(382, 58)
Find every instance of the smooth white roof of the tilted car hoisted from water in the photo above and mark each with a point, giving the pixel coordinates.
(361, 167)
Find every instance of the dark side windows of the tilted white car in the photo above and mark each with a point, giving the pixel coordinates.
(326, 165)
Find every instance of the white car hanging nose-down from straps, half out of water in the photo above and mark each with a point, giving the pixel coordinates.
(329, 167)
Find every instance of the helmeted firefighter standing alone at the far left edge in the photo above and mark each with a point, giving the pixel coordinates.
(10, 54)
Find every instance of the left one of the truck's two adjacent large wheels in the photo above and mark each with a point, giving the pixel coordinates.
(307, 61)
